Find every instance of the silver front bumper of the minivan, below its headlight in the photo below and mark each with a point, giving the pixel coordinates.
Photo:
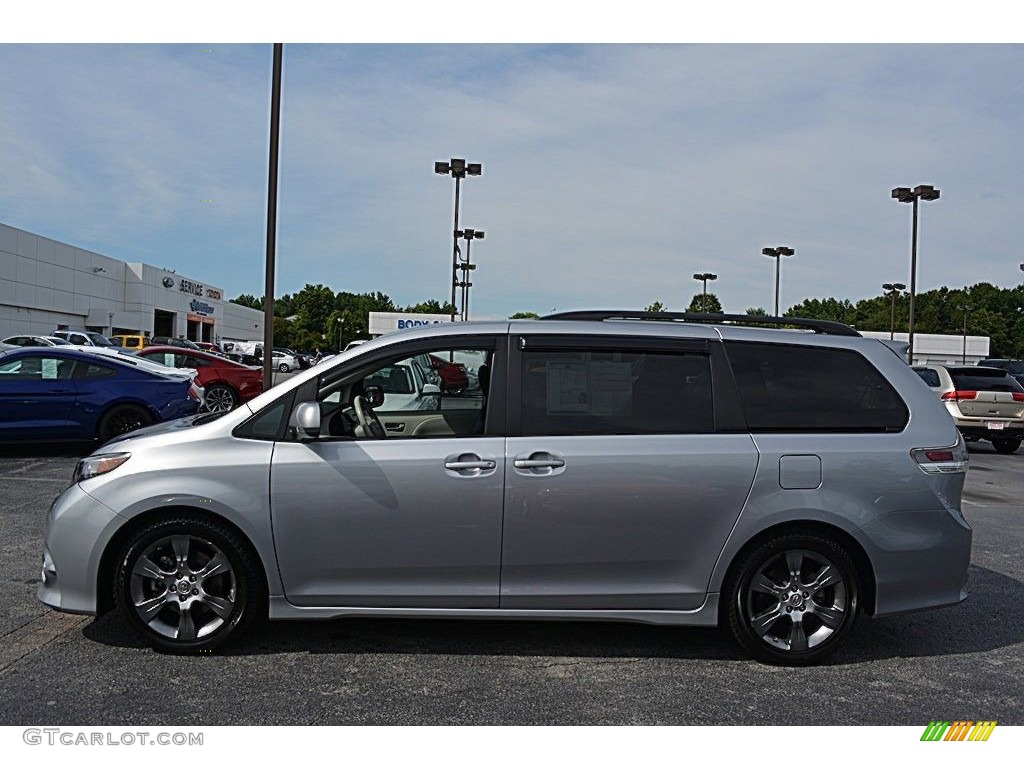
(78, 529)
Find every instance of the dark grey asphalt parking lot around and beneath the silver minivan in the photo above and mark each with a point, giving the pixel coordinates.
(959, 663)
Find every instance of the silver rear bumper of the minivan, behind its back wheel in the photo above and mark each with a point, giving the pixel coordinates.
(921, 560)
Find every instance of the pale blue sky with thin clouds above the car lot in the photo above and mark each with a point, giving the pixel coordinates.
(612, 174)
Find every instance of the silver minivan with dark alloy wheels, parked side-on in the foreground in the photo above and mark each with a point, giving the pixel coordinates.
(611, 466)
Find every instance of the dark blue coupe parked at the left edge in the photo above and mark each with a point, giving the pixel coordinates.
(56, 394)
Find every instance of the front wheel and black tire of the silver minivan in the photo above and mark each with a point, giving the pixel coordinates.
(190, 605)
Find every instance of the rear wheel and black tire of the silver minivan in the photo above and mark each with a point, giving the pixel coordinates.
(777, 623)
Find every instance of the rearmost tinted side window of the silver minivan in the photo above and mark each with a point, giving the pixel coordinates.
(790, 389)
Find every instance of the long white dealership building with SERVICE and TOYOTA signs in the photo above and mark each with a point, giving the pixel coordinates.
(47, 285)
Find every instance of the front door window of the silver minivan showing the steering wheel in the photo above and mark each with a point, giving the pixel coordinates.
(437, 394)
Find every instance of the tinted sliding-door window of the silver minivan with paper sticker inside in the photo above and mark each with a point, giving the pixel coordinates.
(600, 392)
